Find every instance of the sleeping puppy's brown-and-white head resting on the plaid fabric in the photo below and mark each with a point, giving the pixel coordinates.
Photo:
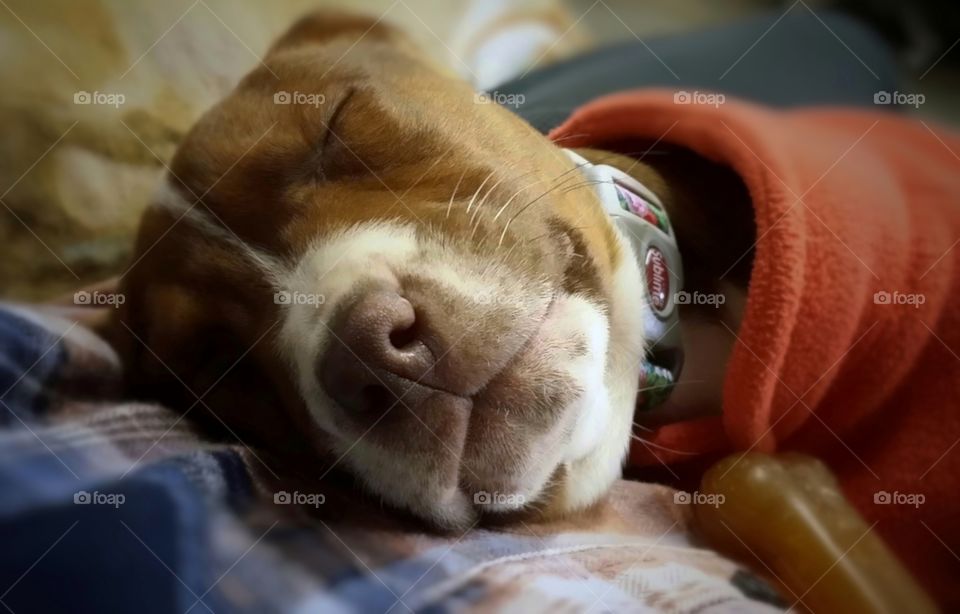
(423, 281)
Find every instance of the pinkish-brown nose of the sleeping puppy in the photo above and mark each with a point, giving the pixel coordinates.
(377, 355)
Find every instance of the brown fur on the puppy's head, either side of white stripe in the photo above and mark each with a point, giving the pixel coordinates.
(391, 141)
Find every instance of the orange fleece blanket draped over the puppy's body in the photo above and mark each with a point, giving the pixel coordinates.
(850, 343)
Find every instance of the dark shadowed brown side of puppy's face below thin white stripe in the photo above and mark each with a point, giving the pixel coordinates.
(196, 322)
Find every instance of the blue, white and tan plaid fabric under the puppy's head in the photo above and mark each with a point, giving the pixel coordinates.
(113, 505)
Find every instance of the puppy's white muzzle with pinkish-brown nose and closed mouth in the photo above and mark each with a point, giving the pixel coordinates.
(453, 390)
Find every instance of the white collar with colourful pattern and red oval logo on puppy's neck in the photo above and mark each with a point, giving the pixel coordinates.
(640, 217)
